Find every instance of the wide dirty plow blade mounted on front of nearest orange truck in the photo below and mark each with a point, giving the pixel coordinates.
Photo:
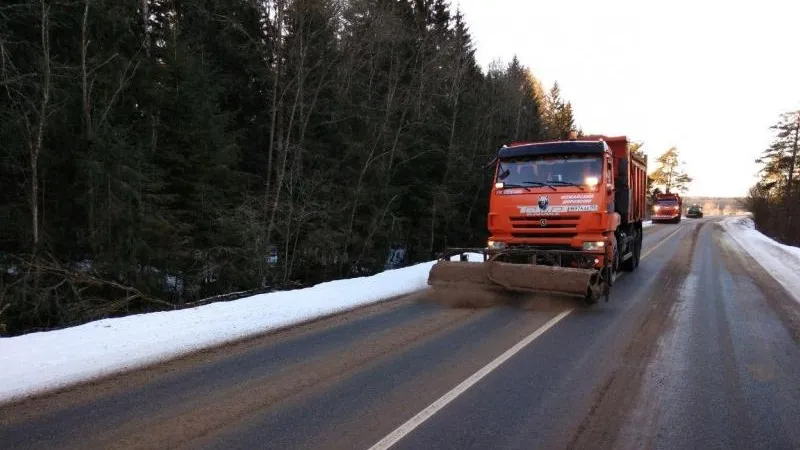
(513, 277)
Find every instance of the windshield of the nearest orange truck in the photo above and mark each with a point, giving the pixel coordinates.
(556, 170)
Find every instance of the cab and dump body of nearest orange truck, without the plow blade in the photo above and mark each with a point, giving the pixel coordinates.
(574, 196)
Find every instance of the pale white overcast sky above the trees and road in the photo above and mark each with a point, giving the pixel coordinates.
(708, 77)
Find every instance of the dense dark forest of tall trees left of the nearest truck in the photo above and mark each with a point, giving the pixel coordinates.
(159, 152)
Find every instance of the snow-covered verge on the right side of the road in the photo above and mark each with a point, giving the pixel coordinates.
(781, 261)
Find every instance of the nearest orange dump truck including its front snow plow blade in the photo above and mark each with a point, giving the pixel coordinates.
(564, 218)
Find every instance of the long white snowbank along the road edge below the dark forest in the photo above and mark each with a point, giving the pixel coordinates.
(44, 361)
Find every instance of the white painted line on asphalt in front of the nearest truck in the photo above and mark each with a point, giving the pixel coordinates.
(393, 437)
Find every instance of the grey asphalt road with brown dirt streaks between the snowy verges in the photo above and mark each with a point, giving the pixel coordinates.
(699, 348)
